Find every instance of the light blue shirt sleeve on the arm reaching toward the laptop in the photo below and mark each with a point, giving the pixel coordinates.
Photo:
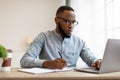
(87, 56)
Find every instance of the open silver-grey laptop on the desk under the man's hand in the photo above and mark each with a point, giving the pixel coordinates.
(111, 59)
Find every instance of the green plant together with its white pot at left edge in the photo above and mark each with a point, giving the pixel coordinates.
(3, 54)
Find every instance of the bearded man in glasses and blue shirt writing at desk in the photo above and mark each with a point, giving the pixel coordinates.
(59, 48)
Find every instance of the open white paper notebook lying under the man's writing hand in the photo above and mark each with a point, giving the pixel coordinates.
(43, 70)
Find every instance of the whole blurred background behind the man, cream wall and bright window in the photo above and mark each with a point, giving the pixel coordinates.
(22, 20)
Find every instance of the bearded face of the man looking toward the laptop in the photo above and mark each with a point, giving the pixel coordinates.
(65, 24)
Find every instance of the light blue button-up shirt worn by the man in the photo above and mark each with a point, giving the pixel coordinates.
(48, 45)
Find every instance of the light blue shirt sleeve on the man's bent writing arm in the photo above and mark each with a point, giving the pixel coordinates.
(30, 58)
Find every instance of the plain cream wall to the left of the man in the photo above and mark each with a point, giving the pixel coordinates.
(20, 19)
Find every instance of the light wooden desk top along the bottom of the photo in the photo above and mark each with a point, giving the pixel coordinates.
(68, 75)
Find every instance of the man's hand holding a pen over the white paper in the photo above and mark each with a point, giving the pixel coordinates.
(55, 64)
